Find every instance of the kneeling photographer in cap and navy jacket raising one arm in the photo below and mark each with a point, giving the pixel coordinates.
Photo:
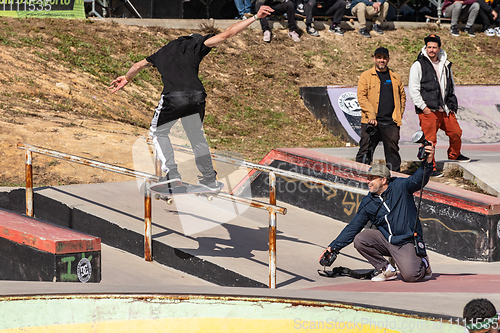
(391, 208)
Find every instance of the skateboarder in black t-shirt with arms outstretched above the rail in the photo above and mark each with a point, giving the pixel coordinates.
(183, 97)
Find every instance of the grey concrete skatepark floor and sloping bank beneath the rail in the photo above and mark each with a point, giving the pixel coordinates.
(236, 238)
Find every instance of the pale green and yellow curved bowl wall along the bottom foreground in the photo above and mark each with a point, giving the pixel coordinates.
(198, 313)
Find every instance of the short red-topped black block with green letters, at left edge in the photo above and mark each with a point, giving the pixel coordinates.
(32, 250)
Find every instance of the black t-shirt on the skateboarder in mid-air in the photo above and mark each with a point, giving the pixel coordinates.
(179, 61)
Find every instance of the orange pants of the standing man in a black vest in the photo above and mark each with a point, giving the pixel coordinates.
(431, 123)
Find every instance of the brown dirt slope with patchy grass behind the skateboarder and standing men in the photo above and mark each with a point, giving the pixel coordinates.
(54, 76)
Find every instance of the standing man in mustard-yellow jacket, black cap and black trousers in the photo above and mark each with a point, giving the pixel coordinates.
(382, 99)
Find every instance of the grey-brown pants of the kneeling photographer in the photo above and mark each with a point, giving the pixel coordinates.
(372, 245)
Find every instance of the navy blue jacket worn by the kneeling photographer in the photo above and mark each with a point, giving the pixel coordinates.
(393, 213)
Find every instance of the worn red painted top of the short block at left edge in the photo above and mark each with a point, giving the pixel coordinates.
(45, 237)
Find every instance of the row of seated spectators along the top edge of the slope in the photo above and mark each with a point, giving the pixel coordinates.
(483, 12)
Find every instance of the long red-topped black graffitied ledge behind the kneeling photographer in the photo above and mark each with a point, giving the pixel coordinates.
(456, 222)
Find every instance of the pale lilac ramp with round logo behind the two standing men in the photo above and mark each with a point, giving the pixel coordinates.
(478, 114)
